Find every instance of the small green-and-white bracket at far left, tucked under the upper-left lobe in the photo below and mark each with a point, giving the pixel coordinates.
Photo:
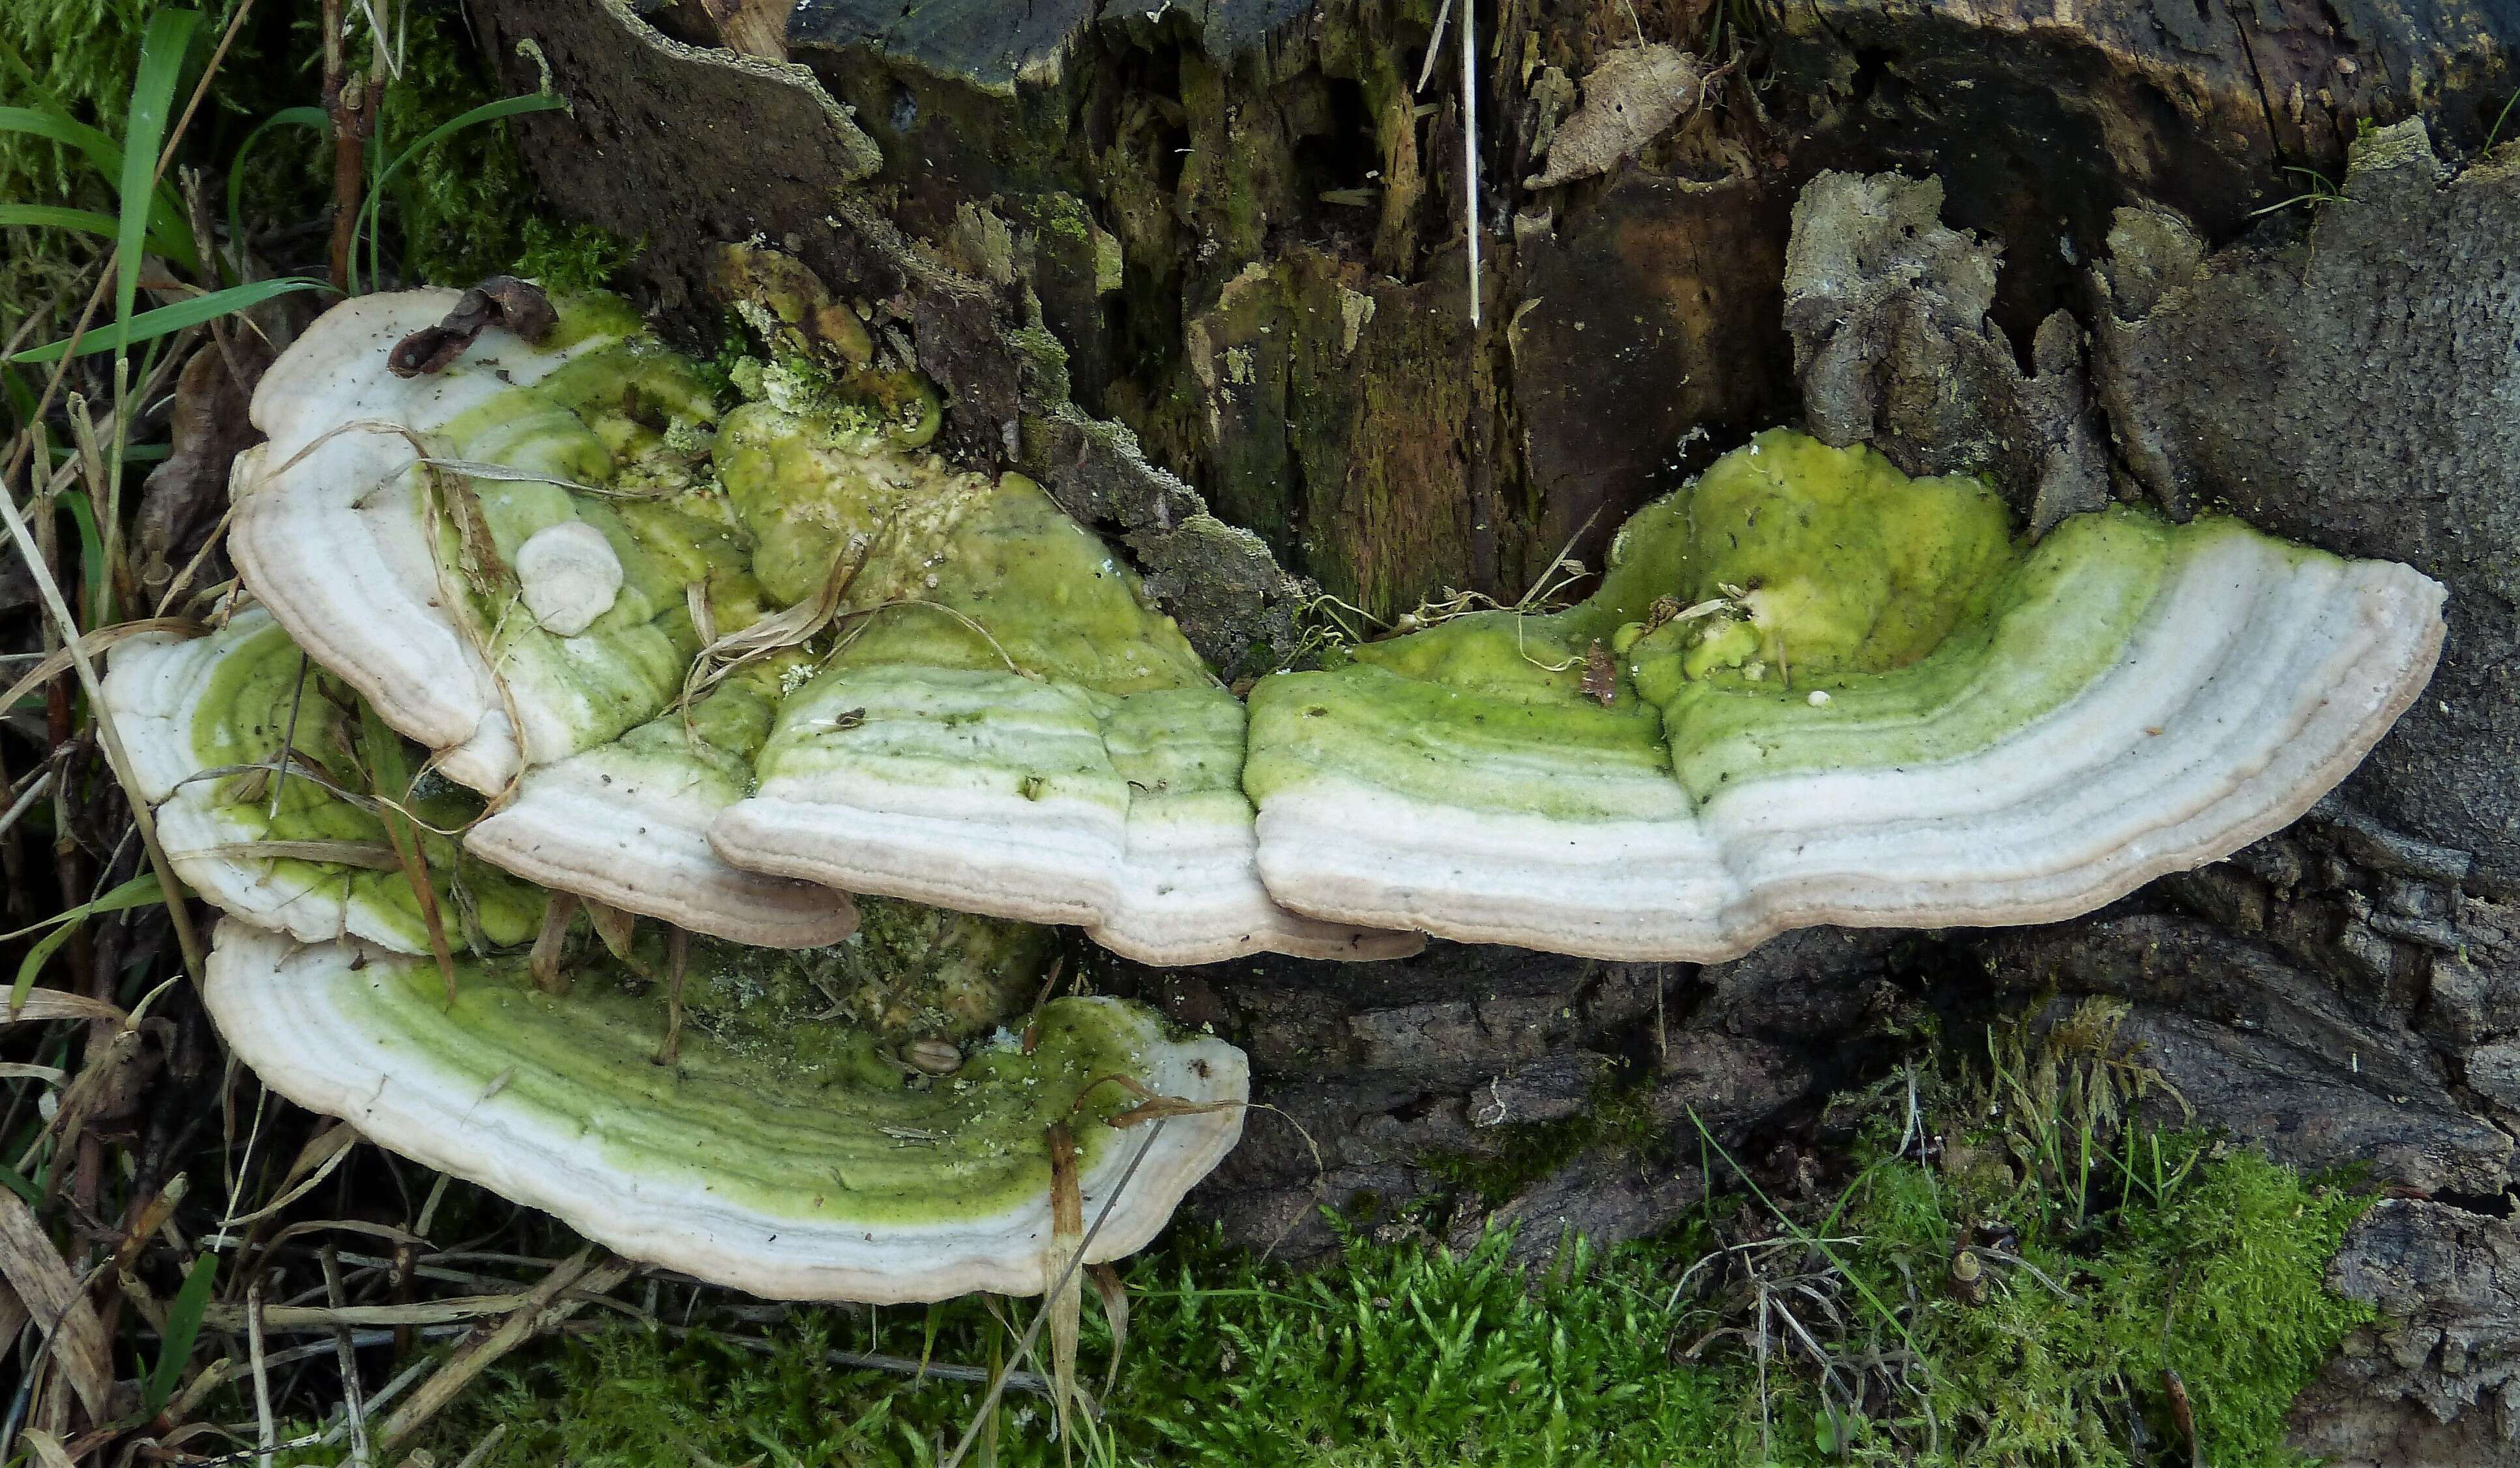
(281, 842)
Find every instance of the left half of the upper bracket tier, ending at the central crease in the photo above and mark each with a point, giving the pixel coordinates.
(717, 671)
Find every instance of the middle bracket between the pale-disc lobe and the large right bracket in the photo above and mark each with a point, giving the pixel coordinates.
(1007, 729)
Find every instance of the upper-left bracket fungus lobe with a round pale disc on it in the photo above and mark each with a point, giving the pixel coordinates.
(440, 543)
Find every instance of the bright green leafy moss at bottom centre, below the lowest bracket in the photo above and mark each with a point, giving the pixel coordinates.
(1400, 1358)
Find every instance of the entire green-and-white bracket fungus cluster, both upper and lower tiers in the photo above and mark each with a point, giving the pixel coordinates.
(558, 633)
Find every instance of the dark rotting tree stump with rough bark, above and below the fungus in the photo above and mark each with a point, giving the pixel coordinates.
(1201, 271)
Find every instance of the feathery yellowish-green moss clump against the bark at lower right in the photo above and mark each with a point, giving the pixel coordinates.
(2216, 1278)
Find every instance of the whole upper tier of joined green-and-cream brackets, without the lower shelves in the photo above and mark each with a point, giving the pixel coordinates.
(780, 653)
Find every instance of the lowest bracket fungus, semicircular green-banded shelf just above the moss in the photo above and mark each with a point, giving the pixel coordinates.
(775, 1152)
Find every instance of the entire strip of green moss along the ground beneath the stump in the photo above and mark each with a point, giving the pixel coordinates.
(1412, 1356)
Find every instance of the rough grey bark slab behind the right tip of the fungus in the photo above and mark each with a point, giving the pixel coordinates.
(2355, 389)
